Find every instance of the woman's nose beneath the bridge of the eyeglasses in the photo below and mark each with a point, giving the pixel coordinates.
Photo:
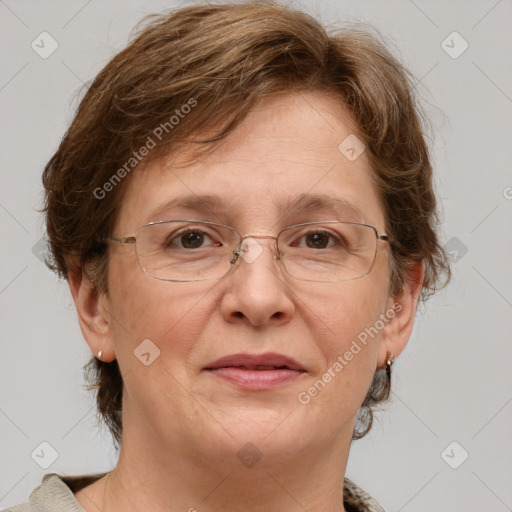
(256, 291)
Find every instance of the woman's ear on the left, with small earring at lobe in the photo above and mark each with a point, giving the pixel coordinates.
(93, 315)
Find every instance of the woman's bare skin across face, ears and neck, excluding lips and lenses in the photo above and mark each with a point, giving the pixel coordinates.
(182, 426)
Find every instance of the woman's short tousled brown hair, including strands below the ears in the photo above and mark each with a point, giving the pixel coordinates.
(220, 60)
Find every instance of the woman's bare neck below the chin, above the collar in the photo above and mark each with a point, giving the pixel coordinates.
(150, 478)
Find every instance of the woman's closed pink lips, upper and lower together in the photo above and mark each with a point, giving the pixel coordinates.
(253, 372)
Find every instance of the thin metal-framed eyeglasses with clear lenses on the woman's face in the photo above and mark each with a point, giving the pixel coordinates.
(189, 250)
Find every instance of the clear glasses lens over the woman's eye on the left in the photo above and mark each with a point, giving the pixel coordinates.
(185, 250)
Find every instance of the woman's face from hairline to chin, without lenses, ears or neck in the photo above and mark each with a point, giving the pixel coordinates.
(284, 149)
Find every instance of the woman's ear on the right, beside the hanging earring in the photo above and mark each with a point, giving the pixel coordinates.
(401, 312)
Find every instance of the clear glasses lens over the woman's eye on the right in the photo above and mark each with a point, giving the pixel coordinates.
(328, 251)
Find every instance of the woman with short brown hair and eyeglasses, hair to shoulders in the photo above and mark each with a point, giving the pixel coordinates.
(243, 207)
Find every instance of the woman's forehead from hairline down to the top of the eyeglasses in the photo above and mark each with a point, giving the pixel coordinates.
(283, 160)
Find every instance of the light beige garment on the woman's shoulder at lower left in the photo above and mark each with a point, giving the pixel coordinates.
(53, 495)
